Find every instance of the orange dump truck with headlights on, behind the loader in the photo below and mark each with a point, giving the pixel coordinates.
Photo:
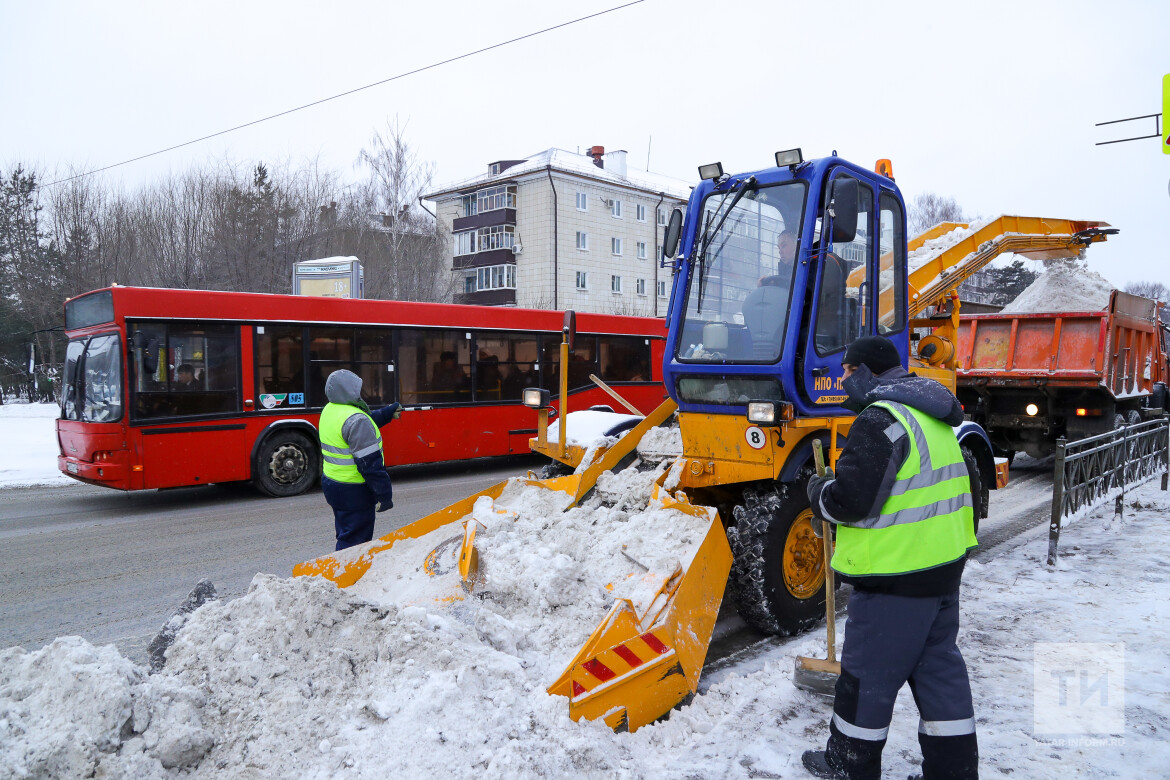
(1030, 379)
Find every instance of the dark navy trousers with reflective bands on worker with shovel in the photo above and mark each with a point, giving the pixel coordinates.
(891, 640)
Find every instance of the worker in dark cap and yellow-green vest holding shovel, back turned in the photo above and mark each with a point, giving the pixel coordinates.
(901, 503)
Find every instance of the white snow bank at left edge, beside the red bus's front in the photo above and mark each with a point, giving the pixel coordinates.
(35, 461)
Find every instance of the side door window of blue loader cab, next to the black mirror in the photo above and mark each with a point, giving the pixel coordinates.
(844, 310)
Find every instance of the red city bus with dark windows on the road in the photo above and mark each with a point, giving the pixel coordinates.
(166, 389)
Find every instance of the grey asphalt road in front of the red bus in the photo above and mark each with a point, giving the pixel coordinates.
(114, 568)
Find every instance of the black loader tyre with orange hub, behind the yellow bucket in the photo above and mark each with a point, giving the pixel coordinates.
(777, 576)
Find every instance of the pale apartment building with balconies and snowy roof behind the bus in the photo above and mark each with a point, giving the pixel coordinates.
(561, 231)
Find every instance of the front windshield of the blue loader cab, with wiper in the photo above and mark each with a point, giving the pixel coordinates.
(738, 301)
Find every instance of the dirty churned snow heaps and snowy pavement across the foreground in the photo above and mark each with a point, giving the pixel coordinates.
(299, 679)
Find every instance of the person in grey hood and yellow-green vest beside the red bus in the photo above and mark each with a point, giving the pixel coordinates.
(354, 479)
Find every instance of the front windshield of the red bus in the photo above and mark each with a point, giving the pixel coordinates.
(93, 381)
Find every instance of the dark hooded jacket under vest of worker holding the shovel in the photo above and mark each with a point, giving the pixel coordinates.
(869, 467)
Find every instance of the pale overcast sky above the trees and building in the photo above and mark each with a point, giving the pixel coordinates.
(992, 103)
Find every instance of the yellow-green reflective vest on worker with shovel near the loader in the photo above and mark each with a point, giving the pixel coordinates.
(928, 519)
